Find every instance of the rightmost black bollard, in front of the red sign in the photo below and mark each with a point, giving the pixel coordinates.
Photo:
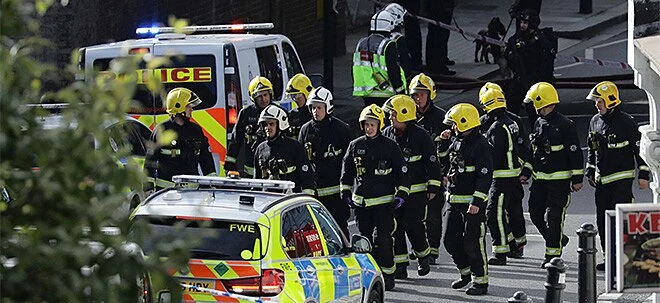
(587, 263)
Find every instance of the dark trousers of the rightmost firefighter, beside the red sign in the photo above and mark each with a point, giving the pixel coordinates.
(607, 196)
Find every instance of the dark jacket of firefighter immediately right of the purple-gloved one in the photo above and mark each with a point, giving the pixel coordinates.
(420, 154)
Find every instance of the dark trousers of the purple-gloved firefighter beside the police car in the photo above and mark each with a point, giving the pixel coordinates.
(377, 224)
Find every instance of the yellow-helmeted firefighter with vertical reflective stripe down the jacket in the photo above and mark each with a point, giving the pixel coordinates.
(504, 210)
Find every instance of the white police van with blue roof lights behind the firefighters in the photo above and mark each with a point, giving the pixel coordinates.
(217, 67)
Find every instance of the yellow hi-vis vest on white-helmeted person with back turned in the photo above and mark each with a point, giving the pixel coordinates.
(370, 78)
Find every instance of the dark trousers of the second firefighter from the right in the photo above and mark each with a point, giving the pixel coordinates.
(548, 201)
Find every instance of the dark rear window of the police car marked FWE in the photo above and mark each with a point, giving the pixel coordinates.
(212, 240)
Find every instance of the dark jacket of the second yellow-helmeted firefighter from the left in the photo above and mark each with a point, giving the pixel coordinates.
(246, 132)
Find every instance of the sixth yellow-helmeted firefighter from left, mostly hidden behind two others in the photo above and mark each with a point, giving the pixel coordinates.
(430, 117)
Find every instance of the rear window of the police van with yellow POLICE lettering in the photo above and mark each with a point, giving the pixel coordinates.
(195, 72)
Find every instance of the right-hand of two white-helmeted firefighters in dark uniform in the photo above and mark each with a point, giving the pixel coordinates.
(326, 139)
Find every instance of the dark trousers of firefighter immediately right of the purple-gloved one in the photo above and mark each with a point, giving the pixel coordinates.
(411, 218)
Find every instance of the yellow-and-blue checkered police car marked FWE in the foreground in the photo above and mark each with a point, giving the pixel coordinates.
(259, 242)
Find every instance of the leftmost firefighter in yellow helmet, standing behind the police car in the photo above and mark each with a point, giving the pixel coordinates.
(183, 152)
